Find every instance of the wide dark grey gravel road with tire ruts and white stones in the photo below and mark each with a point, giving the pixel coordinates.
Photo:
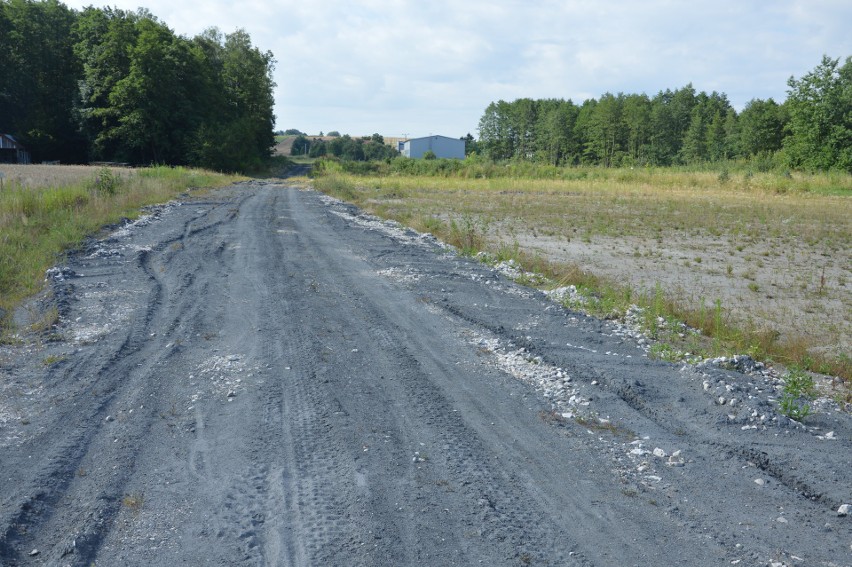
(270, 377)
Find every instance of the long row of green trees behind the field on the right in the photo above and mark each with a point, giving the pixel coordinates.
(812, 129)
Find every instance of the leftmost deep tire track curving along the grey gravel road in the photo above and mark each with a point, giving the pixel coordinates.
(126, 380)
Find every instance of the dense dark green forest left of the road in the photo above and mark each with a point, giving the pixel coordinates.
(103, 84)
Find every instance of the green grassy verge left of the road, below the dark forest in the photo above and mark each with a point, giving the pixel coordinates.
(39, 223)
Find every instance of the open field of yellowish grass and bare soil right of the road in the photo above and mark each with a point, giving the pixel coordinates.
(772, 250)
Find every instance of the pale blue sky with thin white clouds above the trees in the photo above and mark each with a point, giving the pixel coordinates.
(421, 67)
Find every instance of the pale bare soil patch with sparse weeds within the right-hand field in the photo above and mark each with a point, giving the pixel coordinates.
(787, 286)
